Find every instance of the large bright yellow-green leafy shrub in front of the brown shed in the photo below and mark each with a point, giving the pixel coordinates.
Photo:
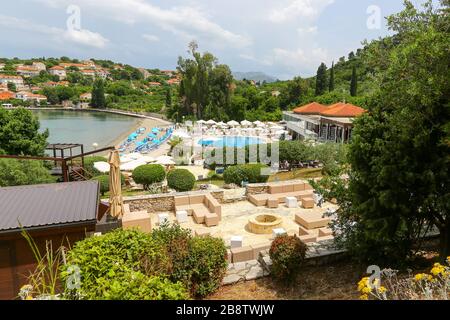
(106, 258)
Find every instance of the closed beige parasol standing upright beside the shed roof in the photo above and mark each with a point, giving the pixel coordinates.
(115, 188)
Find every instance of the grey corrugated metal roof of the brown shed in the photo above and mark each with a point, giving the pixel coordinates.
(48, 204)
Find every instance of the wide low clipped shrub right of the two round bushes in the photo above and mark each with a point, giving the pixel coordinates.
(247, 172)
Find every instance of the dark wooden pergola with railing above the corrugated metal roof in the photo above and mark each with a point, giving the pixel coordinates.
(68, 168)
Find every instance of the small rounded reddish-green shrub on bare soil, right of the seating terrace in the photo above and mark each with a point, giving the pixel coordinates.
(287, 254)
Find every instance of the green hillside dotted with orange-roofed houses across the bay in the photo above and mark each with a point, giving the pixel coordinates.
(66, 81)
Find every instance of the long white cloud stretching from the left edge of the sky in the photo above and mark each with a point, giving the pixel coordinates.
(83, 37)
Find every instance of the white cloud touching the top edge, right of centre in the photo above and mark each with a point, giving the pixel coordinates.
(307, 9)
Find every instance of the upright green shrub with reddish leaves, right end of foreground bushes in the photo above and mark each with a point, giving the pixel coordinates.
(208, 264)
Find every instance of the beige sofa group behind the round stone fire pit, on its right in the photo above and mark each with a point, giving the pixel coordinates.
(280, 193)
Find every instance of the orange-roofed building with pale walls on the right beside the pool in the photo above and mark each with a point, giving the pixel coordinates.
(324, 123)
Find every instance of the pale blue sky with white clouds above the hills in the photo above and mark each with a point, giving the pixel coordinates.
(283, 38)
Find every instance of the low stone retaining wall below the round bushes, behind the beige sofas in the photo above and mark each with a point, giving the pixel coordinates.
(164, 201)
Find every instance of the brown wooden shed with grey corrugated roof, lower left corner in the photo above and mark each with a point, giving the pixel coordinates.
(56, 212)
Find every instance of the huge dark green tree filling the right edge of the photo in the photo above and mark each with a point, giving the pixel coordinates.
(399, 182)
